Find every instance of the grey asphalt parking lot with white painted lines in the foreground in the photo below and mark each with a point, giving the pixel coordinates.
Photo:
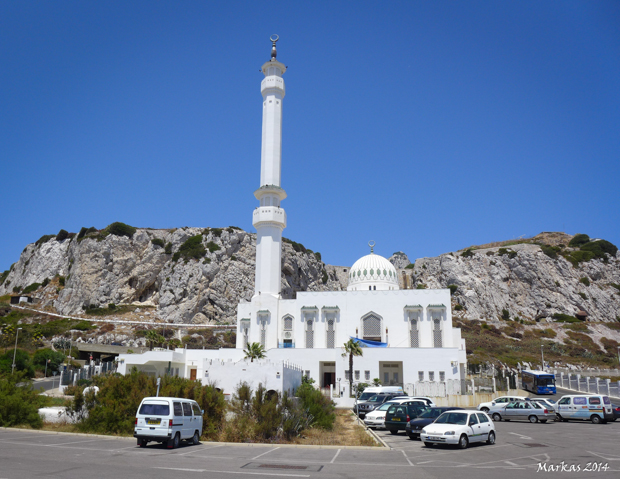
(521, 448)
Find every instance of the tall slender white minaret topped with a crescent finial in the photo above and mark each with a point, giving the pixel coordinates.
(269, 219)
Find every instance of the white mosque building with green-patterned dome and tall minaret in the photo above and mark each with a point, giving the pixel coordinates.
(407, 335)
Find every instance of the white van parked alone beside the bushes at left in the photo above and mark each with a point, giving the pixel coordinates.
(168, 421)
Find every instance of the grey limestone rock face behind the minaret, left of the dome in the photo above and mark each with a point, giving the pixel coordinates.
(122, 270)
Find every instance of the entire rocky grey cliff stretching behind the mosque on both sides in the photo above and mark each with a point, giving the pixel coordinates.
(199, 275)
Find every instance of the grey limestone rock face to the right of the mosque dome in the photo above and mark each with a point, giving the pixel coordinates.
(529, 284)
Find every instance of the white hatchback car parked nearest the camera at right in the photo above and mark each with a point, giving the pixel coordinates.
(459, 428)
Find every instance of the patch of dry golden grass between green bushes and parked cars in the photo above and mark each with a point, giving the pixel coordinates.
(346, 432)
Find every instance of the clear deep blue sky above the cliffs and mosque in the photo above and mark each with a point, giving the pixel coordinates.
(424, 126)
